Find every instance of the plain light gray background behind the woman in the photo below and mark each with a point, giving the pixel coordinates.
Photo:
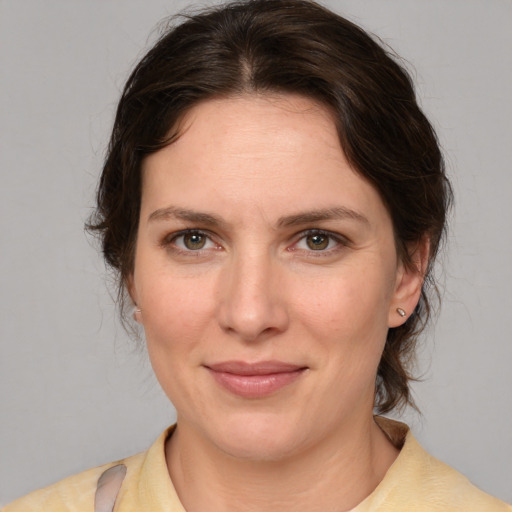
(75, 391)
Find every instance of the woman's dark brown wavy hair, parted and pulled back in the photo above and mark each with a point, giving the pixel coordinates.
(286, 46)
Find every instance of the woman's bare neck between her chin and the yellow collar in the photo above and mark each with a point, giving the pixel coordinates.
(335, 475)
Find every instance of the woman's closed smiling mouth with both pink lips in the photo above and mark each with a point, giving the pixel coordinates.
(255, 380)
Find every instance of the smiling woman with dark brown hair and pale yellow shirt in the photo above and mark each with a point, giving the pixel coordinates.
(273, 200)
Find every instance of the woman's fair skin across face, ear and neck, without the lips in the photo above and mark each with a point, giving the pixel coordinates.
(245, 174)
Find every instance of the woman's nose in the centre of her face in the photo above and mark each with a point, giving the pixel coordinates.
(252, 301)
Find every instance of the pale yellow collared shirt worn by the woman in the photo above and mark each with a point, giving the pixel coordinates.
(415, 482)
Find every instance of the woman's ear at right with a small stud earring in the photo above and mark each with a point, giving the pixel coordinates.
(409, 283)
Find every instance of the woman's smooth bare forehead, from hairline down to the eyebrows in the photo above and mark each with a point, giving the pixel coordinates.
(274, 153)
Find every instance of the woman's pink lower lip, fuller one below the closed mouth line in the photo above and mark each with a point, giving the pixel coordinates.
(255, 386)
